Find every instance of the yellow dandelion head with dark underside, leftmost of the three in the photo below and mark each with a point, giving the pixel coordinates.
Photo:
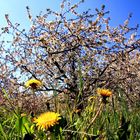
(33, 83)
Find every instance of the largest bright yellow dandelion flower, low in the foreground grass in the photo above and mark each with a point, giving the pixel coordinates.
(47, 120)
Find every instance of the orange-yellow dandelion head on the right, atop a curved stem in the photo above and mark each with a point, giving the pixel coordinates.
(104, 92)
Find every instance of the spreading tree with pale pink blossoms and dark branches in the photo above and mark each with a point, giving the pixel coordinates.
(73, 54)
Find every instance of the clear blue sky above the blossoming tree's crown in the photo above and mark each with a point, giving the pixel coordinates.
(119, 9)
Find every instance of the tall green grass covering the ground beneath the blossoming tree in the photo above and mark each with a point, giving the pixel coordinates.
(115, 119)
